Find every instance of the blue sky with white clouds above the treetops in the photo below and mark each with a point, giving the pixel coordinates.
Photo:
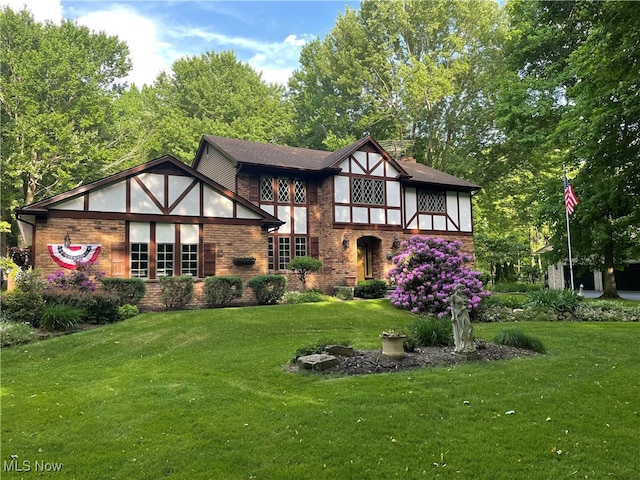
(266, 34)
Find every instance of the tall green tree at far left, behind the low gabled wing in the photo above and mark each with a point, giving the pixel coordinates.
(58, 84)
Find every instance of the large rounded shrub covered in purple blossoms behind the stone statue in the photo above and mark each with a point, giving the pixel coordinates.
(426, 273)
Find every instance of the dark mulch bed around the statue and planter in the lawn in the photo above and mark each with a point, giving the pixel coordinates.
(372, 361)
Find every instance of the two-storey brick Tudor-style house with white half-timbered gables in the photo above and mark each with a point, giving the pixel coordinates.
(350, 209)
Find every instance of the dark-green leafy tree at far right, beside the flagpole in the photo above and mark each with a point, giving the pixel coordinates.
(583, 57)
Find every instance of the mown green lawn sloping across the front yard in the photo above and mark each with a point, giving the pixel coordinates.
(203, 395)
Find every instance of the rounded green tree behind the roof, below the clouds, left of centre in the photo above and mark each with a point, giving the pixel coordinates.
(215, 94)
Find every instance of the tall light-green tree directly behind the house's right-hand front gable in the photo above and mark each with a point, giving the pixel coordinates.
(412, 71)
